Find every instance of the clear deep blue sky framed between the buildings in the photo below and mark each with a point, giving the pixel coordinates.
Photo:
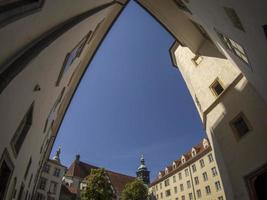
(131, 101)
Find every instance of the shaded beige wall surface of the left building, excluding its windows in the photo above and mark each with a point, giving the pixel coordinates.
(44, 70)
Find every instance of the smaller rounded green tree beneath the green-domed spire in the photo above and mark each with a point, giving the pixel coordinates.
(135, 190)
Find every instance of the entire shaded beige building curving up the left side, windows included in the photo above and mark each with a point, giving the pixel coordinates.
(46, 48)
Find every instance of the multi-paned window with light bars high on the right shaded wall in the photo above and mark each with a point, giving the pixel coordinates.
(233, 46)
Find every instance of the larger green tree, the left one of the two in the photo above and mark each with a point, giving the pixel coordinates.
(98, 186)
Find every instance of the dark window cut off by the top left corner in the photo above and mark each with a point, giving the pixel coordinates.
(11, 10)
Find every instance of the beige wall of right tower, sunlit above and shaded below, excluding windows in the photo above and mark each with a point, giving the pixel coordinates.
(217, 113)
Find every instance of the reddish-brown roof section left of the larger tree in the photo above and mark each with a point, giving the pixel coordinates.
(79, 169)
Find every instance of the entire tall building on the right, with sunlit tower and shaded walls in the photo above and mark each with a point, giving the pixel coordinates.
(228, 88)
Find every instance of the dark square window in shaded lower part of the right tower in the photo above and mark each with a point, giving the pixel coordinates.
(240, 125)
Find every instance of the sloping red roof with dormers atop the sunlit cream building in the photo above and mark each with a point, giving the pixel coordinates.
(200, 150)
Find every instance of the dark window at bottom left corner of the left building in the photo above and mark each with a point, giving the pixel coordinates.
(6, 170)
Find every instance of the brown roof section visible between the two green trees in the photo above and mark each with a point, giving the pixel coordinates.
(119, 181)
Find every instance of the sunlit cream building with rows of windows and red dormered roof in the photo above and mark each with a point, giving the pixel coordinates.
(194, 176)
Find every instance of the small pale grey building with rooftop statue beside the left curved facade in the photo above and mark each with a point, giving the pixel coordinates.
(49, 184)
